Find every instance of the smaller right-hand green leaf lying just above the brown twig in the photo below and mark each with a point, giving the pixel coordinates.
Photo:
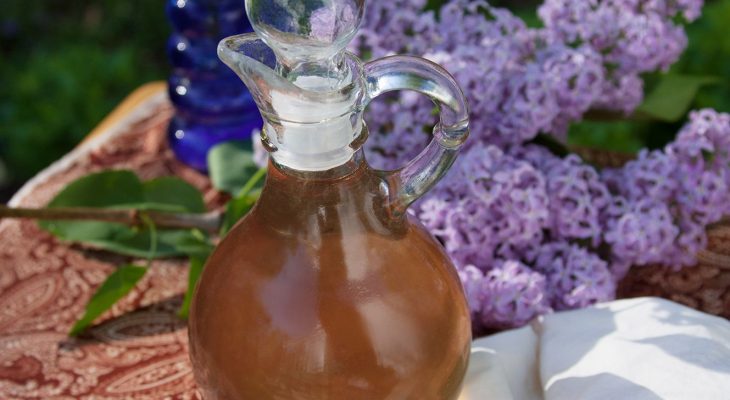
(174, 192)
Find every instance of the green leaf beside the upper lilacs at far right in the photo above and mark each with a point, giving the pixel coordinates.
(673, 96)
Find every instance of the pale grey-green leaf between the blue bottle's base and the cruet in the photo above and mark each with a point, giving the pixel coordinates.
(231, 165)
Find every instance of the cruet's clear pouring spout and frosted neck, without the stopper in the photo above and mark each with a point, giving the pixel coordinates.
(308, 125)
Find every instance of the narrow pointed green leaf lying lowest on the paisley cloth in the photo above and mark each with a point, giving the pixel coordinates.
(116, 286)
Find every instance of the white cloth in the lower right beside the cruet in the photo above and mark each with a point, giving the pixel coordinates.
(638, 349)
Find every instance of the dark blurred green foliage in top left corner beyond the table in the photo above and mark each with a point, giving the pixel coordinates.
(64, 66)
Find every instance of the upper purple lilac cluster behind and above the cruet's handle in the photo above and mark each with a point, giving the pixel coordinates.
(521, 81)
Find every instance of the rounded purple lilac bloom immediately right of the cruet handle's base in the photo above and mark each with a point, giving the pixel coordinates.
(490, 205)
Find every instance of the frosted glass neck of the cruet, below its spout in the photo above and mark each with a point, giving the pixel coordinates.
(315, 122)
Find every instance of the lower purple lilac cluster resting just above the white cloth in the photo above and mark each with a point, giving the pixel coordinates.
(531, 232)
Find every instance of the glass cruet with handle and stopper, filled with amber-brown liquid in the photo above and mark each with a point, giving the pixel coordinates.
(328, 289)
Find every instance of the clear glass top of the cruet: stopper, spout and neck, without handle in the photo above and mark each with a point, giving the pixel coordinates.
(309, 90)
